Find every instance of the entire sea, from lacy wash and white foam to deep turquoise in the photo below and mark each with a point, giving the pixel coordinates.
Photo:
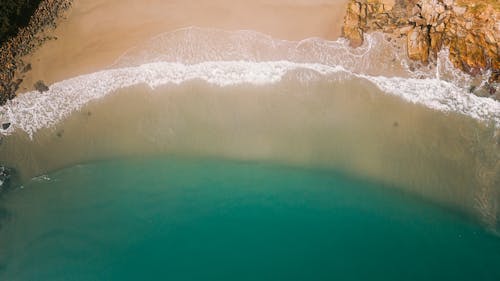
(293, 161)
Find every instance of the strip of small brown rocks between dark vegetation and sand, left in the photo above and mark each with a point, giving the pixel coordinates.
(12, 67)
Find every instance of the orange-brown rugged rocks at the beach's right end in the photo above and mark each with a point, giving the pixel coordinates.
(469, 29)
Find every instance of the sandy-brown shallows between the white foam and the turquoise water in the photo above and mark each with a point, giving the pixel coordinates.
(349, 126)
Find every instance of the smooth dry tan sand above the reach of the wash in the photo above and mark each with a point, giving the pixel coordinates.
(96, 32)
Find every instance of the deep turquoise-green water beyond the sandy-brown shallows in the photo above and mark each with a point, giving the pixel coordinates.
(205, 219)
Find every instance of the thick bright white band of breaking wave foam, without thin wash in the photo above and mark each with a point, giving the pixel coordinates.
(33, 111)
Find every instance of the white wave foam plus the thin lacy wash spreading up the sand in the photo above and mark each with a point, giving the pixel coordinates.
(229, 58)
